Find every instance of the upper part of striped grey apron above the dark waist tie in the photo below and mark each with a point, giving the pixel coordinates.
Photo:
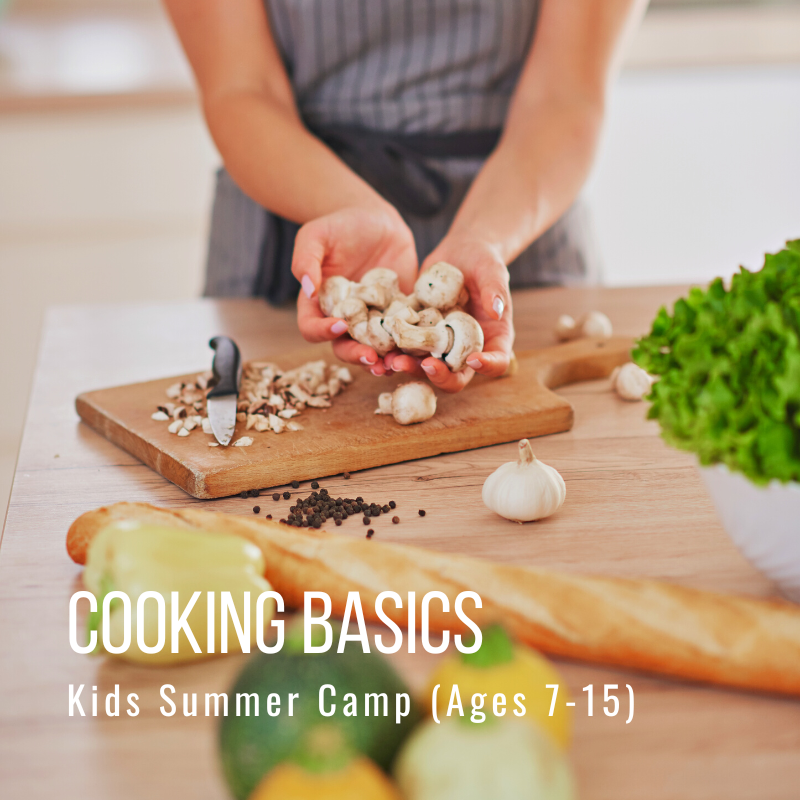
(404, 66)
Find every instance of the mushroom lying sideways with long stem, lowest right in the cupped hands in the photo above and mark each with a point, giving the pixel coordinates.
(454, 338)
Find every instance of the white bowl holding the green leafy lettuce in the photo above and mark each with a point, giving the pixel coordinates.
(763, 521)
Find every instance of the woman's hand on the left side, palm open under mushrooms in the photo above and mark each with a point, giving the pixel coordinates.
(349, 242)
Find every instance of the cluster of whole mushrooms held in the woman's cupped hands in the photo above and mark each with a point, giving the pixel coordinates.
(428, 322)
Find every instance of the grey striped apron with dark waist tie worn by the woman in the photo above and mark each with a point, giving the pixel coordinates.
(419, 88)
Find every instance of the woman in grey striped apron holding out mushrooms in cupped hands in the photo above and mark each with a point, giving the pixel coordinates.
(389, 133)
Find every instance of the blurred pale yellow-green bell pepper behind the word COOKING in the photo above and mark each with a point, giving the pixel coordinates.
(134, 558)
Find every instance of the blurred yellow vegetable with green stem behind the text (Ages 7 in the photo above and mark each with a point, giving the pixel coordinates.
(503, 667)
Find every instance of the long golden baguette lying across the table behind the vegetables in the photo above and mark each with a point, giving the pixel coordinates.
(641, 624)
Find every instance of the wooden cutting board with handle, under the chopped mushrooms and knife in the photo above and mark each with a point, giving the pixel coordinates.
(349, 436)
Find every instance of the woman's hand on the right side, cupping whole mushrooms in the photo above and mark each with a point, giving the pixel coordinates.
(486, 280)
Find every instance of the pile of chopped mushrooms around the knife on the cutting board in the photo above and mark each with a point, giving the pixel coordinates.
(269, 398)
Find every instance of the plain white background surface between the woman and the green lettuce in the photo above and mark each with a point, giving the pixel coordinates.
(699, 172)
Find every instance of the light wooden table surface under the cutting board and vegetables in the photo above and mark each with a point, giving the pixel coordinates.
(634, 508)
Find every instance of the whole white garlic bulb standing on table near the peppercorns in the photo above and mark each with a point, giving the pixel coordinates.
(526, 489)
